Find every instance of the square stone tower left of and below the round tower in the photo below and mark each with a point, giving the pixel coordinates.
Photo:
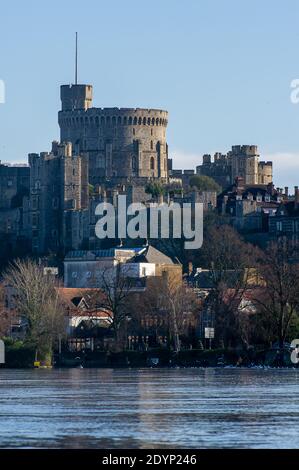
(58, 198)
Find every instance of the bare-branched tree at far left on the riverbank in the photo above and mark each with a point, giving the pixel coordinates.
(37, 300)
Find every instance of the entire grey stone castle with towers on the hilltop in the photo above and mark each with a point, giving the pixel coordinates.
(49, 206)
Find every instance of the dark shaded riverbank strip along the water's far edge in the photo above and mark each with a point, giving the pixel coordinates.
(24, 357)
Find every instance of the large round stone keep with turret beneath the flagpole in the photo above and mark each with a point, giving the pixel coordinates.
(120, 142)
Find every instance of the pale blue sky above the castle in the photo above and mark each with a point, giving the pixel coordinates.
(221, 68)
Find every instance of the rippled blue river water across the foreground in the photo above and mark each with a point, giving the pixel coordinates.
(105, 408)
